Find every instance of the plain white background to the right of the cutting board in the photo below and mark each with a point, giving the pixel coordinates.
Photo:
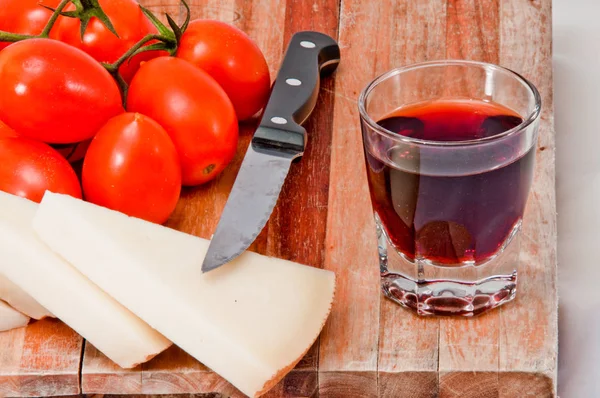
(576, 32)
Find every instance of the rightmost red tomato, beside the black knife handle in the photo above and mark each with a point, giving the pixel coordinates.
(232, 59)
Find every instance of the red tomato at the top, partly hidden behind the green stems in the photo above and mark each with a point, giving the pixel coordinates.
(129, 22)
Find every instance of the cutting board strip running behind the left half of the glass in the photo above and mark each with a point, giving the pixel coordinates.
(409, 345)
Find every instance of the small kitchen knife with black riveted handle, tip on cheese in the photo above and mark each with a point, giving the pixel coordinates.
(279, 140)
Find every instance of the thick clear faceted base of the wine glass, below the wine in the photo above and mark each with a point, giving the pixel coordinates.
(466, 290)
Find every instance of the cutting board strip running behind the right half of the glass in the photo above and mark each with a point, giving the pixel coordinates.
(469, 348)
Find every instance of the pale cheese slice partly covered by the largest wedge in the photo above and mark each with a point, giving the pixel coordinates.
(63, 290)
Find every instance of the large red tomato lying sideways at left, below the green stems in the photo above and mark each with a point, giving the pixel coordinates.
(55, 93)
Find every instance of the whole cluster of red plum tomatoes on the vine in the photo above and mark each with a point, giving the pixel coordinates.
(62, 97)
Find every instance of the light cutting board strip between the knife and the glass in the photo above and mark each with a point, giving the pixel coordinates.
(348, 349)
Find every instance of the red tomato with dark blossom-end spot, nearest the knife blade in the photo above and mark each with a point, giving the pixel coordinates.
(194, 110)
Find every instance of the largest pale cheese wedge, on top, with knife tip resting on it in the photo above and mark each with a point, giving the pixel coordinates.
(249, 321)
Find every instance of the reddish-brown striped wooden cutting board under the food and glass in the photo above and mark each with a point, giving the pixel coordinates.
(370, 347)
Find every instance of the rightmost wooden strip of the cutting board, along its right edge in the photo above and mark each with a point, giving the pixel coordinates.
(528, 329)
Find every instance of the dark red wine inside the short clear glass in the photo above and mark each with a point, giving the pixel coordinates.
(451, 218)
